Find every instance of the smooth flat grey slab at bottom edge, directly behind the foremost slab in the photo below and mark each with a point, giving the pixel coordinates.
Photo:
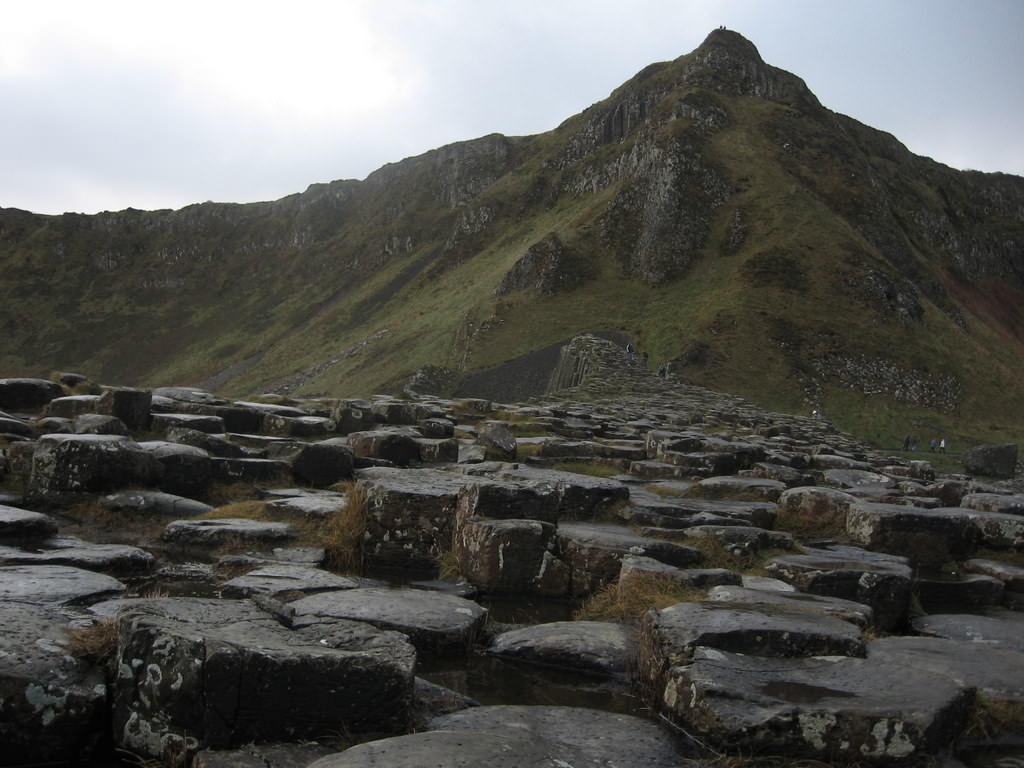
(574, 736)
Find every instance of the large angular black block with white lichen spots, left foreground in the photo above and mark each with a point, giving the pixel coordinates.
(221, 674)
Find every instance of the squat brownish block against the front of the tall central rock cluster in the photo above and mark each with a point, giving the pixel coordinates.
(511, 558)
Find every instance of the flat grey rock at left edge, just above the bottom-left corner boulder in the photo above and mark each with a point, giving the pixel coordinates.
(56, 585)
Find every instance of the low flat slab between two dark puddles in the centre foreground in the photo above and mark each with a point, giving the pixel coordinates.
(598, 648)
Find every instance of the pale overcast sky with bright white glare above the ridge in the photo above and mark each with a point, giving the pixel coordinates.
(149, 104)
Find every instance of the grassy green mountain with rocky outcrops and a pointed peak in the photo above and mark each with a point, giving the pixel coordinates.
(711, 210)
